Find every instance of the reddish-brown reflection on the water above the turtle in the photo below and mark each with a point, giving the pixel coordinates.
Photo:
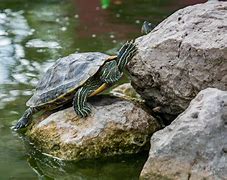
(97, 23)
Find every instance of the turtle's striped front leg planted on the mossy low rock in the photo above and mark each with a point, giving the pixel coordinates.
(80, 104)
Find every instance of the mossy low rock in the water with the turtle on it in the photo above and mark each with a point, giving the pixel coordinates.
(116, 126)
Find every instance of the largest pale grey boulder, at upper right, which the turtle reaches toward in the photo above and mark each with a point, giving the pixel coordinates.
(184, 54)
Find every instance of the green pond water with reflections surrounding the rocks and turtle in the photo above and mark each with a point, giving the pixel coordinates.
(35, 33)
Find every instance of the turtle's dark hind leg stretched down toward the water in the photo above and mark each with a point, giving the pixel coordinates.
(24, 121)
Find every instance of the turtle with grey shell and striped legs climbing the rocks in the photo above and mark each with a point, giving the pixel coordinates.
(75, 78)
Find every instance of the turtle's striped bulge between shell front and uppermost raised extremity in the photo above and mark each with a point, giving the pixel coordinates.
(110, 73)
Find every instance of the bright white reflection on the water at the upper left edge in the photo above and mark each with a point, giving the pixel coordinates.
(13, 30)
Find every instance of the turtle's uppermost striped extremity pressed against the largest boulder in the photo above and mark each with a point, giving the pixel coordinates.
(126, 53)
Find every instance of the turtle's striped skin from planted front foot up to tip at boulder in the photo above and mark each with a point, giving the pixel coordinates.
(110, 73)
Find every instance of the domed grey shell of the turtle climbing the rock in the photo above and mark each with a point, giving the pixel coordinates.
(65, 76)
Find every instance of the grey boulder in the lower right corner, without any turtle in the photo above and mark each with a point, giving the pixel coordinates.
(194, 146)
